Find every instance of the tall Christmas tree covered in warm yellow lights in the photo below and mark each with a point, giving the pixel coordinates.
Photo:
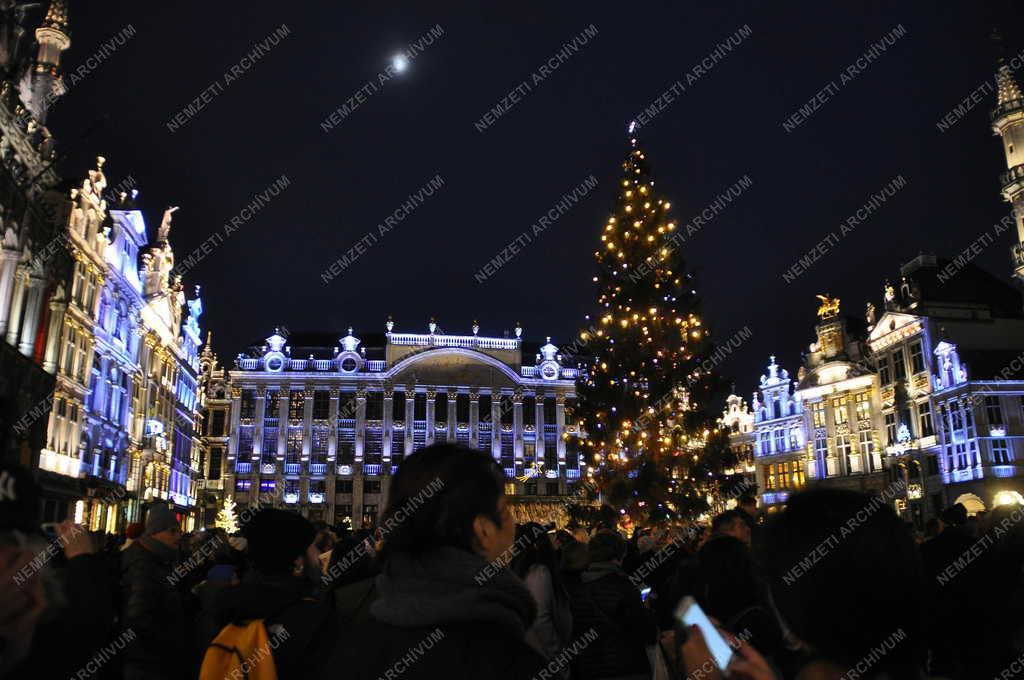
(647, 403)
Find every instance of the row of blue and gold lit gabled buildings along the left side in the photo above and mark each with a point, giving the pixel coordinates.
(80, 323)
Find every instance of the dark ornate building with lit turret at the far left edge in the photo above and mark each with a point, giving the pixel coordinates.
(33, 263)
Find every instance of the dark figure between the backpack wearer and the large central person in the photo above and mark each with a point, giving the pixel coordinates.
(352, 576)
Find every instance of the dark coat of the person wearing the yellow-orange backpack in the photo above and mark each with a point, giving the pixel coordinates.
(309, 624)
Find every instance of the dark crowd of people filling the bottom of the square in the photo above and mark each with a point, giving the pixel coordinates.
(835, 586)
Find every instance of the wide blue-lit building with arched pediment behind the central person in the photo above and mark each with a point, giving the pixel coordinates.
(320, 428)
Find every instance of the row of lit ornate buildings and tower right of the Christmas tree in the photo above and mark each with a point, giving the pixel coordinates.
(923, 401)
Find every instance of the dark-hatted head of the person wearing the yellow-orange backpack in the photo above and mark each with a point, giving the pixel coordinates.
(276, 540)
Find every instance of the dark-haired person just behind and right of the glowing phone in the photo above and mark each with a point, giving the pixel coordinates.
(733, 591)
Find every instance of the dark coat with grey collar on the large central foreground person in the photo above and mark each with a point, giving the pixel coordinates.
(440, 616)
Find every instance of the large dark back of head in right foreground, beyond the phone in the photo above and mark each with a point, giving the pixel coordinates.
(847, 578)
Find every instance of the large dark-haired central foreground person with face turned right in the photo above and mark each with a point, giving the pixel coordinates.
(444, 590)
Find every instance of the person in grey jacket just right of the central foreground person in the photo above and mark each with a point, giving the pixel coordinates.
(536, 565)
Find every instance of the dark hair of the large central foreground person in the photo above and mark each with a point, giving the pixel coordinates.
(437, 497)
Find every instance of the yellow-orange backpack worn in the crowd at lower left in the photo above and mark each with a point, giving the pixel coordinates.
(241, 651)
